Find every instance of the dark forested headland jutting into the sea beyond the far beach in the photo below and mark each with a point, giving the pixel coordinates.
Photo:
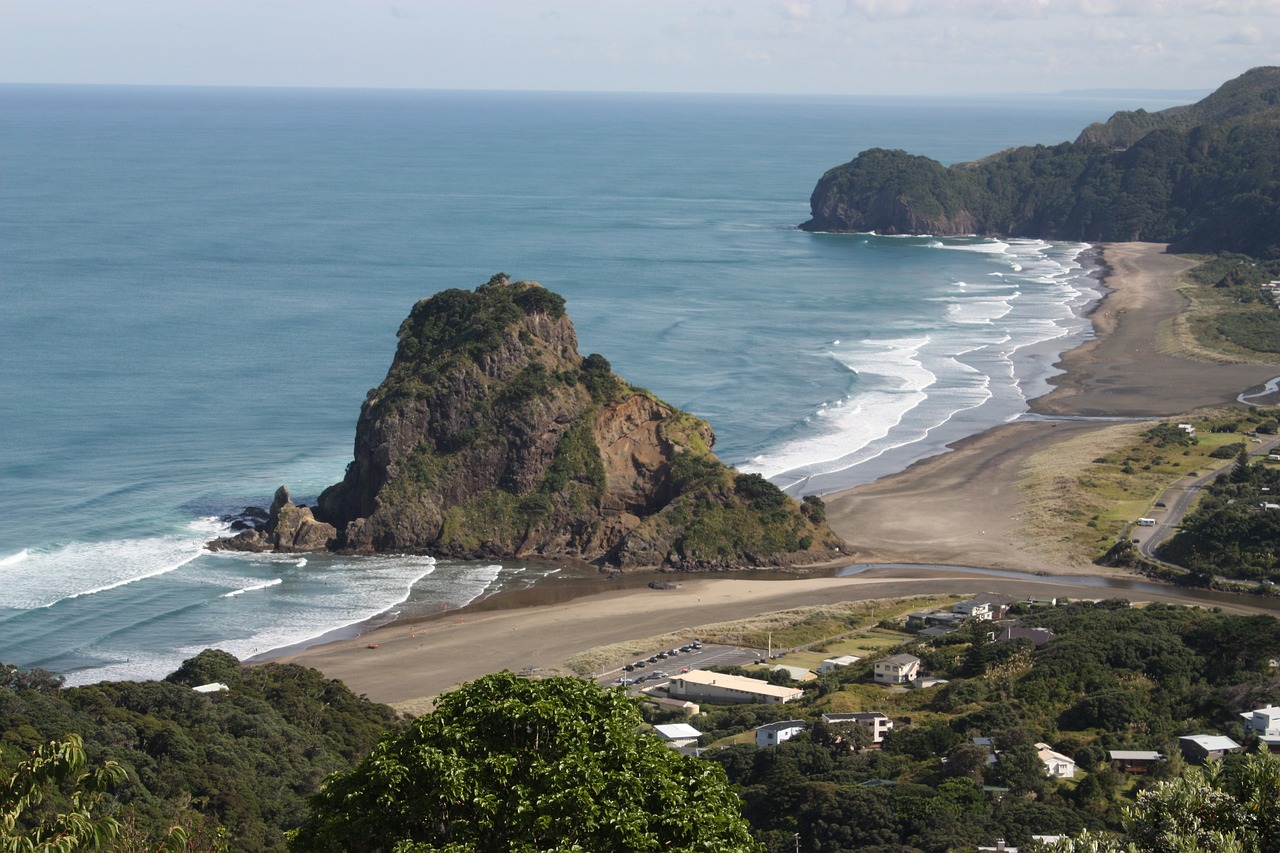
(1203, 179)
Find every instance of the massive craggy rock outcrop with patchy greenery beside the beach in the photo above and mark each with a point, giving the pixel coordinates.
(492, 437)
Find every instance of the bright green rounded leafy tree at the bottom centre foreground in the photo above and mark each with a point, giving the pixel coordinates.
(506, 764)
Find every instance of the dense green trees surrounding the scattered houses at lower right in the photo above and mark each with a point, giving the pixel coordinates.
(1116, 678)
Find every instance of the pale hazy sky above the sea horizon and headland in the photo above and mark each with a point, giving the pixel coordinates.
(769, 47)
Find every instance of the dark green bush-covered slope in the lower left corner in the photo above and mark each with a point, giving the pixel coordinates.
(237, 764)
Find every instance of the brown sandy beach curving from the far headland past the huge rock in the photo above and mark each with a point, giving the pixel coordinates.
(962, 509)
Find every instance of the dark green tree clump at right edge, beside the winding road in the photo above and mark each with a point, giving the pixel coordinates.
(1232, 532)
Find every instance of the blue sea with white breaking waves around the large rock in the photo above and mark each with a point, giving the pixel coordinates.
(198, 288)
